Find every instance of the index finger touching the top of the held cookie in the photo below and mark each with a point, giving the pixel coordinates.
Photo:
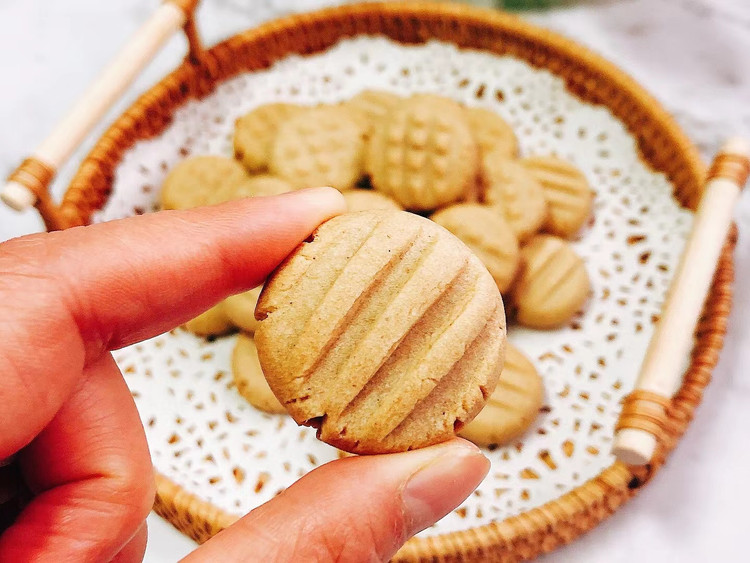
(70, 296)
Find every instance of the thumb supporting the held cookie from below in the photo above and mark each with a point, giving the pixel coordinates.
(354, 509)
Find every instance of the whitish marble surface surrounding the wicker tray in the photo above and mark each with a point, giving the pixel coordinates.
(693, 55)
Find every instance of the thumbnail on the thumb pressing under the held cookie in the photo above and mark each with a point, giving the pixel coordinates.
(442, 483)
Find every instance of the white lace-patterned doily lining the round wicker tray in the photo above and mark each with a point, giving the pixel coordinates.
(206, 438)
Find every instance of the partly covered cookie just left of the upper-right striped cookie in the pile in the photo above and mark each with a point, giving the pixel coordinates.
(508, 185)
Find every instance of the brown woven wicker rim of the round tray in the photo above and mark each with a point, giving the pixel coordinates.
(661, 144)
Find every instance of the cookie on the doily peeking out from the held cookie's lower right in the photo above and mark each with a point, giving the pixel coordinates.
(513, 405)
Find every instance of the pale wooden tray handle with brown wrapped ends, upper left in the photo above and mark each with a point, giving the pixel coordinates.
(29, 184)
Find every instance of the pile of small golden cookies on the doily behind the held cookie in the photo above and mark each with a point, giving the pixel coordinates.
(429, 155)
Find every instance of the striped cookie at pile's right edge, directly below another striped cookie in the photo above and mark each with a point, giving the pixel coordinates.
(552, 283)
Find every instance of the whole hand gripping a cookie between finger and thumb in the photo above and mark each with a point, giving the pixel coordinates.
(71, 297)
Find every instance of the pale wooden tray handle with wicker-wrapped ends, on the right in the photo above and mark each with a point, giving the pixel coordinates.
(663, 366)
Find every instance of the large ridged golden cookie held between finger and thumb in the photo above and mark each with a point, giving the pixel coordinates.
(384, 332)
